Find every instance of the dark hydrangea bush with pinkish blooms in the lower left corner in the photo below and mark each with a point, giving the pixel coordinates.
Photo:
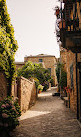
(9, 113)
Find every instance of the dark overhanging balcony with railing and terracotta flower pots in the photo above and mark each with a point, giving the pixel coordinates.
(70, 25)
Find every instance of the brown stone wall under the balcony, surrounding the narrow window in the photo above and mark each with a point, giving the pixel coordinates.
(69, 59)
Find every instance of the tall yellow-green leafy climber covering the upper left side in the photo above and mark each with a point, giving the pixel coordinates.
(8, 45)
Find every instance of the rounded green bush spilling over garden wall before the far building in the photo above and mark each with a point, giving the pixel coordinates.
(35, 70)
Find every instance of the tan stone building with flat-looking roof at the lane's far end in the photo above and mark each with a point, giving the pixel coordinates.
(49, 62)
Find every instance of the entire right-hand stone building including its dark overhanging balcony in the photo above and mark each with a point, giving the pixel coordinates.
(70, 36)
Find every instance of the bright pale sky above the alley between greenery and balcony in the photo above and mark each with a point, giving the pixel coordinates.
(34, 25)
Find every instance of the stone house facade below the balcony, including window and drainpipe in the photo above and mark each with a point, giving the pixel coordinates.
(73, 68)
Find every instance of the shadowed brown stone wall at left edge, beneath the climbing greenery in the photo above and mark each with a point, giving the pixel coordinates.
(3, 85)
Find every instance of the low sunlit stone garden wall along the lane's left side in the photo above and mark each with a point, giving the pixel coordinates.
(26, 93)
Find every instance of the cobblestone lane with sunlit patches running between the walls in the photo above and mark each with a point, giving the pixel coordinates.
(48, 118)
